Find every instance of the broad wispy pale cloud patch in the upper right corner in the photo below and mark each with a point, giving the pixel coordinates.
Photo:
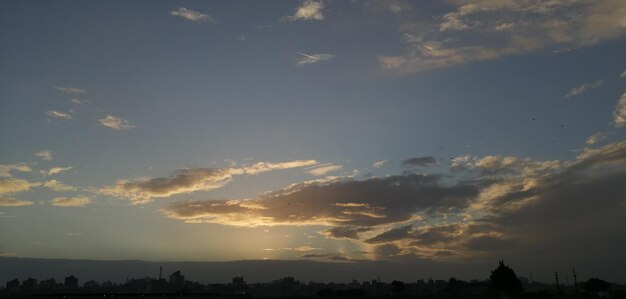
(478, 30)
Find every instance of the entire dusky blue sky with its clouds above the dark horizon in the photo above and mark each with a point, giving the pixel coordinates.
(444, 132)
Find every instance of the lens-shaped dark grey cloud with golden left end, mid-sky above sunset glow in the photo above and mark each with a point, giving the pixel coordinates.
(367, 203)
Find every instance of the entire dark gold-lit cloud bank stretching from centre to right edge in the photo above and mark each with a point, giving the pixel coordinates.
(547, 213)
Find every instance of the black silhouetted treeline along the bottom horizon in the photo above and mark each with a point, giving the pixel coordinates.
(502, 283)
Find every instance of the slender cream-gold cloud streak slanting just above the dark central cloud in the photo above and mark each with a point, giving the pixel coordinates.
(189, 180)
